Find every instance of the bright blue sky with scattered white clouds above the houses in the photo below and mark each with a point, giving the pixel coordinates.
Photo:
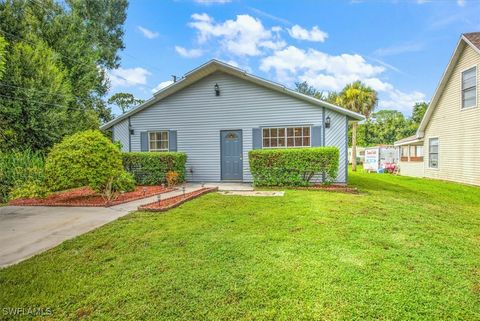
(400, 48)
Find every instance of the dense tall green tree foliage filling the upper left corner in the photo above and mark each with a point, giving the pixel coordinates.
(74, 40)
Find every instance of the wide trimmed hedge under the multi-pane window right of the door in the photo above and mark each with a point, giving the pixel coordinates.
(293, 167)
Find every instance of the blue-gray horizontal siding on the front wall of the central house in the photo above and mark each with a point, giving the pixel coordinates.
(198, 116)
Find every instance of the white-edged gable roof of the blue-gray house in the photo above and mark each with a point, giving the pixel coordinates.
(215, 65)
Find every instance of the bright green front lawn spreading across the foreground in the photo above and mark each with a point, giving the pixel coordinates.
(404, 248)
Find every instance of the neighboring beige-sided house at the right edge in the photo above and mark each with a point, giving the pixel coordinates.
(447, 143)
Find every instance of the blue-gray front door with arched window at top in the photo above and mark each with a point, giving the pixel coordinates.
(231, 155)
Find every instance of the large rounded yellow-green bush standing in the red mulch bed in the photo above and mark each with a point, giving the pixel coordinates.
(83, 159)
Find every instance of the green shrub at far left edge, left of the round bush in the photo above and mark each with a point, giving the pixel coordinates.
(20, 168)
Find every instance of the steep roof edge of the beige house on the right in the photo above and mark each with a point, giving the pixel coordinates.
(471, 39)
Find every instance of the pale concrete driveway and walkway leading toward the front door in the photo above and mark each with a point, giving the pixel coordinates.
(28, 230)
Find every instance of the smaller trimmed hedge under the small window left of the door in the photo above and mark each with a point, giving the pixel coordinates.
(151, 168)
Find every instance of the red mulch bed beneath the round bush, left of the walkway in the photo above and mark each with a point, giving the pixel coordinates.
(85, 196)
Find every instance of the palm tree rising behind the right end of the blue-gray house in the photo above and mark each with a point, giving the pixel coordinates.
(361, 99)
